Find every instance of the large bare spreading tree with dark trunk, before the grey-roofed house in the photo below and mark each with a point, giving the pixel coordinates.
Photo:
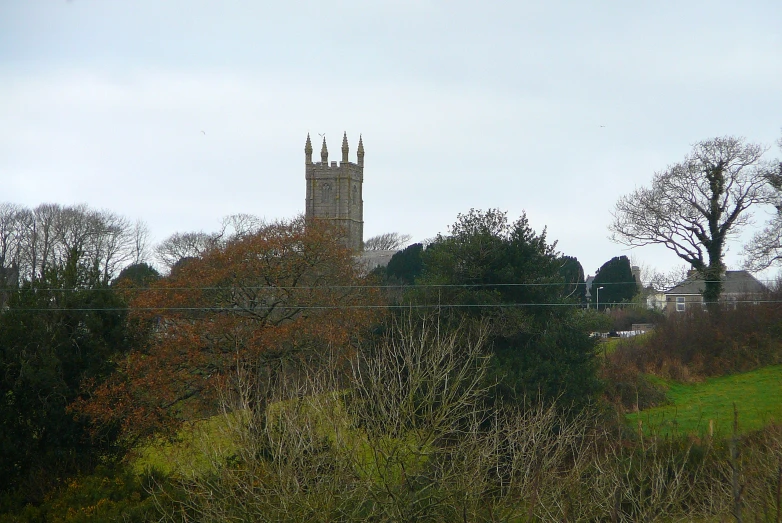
(693, 207)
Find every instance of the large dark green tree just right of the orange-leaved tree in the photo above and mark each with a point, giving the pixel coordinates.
(506, 276)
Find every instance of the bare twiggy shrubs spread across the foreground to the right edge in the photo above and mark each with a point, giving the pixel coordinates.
(411, 439)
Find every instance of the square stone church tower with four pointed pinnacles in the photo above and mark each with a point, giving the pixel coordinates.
(334, 190)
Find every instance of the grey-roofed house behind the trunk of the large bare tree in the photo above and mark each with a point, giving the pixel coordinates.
(737, 285)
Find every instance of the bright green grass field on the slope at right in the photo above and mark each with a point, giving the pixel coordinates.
(757, 396)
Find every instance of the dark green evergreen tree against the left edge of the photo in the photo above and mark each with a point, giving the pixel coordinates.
(59, 334)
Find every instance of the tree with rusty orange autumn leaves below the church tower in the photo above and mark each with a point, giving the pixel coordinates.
(265, 305)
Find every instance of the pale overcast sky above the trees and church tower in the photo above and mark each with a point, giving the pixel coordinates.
(182, 112)
